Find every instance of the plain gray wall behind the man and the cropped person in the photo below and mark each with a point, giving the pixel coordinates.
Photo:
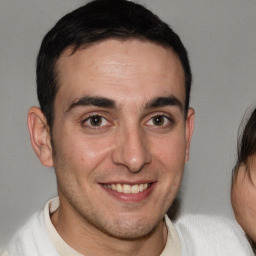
(220, 36)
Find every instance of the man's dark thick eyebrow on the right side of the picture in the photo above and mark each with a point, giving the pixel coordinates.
(164, 101)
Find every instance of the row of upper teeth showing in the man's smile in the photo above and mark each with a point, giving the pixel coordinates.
(128, 189)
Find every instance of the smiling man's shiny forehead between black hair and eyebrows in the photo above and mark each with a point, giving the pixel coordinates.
(120, 70)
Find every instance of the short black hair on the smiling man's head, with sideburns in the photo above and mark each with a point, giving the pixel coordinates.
(72, 30)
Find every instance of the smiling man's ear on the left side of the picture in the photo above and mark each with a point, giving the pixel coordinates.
(40, 136)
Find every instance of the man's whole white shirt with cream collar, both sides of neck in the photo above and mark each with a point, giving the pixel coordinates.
(191, 235)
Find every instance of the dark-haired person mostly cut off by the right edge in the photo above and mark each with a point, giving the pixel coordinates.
(243, 193)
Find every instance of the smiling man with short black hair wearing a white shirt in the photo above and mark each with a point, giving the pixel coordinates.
(113, 83)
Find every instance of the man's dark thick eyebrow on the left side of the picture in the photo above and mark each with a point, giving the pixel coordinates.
(92, 101)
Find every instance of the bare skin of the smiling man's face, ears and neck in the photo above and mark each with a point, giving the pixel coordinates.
(138, 141)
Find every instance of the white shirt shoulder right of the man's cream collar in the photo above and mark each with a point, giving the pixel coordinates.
(212, 235)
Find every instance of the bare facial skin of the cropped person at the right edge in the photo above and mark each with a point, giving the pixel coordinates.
(243, 196)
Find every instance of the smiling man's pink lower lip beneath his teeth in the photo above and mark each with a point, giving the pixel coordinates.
(131, 197)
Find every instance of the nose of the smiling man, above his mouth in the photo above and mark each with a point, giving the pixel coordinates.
(132, 150)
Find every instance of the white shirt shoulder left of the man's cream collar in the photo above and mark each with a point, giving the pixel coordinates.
(31, 239)
